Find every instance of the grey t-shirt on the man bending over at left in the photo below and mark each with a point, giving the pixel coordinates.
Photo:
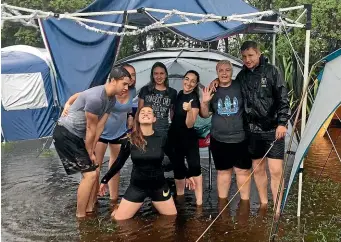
(93, 100)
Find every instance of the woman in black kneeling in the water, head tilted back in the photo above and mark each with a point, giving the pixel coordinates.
(147, 178)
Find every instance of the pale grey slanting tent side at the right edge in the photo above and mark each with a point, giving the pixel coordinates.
(327, 100)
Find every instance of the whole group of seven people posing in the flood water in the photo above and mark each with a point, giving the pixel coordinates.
(249, 117)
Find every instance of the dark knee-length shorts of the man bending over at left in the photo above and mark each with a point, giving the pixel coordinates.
(72, 152)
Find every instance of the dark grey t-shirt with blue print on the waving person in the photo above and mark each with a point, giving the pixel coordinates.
(227, 114)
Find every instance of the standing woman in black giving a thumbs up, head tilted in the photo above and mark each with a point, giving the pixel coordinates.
(183, 137)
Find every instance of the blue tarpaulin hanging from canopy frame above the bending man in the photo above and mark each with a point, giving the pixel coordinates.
(82, 58)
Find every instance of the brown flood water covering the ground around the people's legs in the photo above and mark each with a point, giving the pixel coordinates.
(38, 203)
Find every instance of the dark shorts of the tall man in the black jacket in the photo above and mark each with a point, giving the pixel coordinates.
(260, 143)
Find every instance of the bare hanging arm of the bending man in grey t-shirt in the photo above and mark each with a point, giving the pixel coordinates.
(91, 126)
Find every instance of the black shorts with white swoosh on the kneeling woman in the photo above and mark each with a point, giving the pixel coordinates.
(138, 195)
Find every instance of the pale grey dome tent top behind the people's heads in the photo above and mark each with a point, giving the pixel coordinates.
(178, 61)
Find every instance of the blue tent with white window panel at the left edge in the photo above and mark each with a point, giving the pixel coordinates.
(29, 103)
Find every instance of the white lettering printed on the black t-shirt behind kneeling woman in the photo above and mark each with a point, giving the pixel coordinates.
(159, 103)
